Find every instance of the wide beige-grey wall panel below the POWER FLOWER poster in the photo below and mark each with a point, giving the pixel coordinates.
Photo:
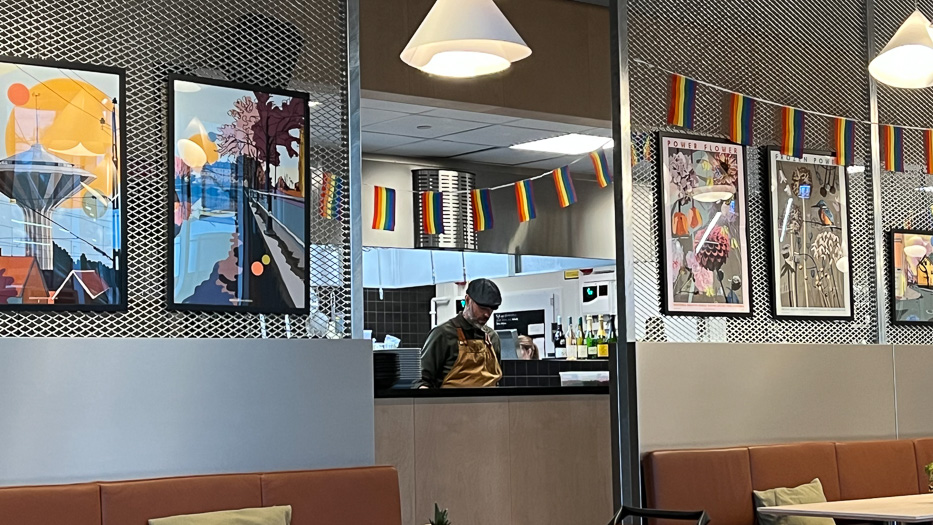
(708, 395)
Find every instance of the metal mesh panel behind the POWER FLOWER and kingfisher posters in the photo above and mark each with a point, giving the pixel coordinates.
(812, 56)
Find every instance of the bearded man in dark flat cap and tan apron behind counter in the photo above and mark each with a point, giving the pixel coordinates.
(463, 351)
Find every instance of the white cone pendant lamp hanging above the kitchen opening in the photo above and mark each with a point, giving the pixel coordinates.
(464, 38)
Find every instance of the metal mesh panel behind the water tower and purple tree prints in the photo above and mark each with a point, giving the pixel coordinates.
(294, 44)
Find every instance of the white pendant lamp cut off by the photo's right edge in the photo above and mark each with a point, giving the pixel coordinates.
(907, 60)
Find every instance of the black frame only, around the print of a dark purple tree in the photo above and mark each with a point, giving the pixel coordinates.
(305, 149)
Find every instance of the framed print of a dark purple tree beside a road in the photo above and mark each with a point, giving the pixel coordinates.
(238, 197)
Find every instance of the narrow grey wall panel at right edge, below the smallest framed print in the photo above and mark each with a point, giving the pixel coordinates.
(914, 374)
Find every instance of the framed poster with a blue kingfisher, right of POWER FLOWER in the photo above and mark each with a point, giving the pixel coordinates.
(808, 231)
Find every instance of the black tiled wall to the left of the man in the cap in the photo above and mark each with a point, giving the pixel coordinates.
(403, 313)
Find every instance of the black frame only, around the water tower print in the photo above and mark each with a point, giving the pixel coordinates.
(121, 305)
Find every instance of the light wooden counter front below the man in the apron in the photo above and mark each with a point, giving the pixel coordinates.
(542, 460)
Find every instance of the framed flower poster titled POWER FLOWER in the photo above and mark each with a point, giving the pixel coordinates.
(704, 230)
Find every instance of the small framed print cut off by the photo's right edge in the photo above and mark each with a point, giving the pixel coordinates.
(910, 260)
